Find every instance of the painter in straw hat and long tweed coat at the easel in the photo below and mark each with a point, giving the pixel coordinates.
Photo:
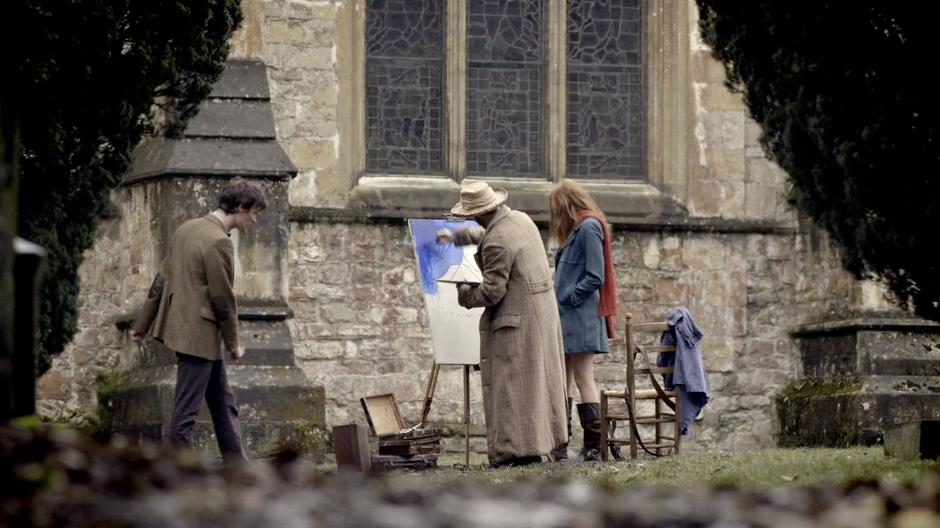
(521, 360)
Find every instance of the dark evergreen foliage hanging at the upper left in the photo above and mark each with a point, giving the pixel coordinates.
(92, 77)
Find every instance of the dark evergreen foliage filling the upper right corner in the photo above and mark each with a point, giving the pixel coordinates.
(844, 96)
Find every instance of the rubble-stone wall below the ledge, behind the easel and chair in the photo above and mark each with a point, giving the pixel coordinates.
(360, 327)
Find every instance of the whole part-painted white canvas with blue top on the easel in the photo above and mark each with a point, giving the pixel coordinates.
(455, 333)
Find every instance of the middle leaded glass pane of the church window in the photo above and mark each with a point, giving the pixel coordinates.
(505, 87)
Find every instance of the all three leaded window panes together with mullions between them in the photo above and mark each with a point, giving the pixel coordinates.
(507, 66)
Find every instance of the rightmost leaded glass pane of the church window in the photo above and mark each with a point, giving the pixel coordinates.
(605, 89)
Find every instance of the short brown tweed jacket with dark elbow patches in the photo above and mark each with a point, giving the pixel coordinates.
(191, 306)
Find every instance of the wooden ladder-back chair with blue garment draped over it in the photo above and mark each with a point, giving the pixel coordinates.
(656, 432)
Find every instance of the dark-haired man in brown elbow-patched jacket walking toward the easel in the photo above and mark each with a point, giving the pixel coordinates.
(191, 309)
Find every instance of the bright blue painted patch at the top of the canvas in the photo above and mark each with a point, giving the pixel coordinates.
(435, 259)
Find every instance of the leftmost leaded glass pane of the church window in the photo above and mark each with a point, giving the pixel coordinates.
(404, 100)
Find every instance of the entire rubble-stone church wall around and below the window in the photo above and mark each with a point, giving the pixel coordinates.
(745, 265)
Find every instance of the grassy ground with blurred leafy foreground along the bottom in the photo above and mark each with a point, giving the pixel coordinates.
(59, 477)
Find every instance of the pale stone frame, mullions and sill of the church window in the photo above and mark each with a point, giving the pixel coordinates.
(669, 119)
